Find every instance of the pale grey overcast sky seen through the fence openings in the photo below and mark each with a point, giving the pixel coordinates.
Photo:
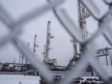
(62, 48)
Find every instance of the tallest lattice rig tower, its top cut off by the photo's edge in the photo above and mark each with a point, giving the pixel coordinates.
(83, 14)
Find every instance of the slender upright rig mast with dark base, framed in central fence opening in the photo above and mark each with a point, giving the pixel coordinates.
(51, 63)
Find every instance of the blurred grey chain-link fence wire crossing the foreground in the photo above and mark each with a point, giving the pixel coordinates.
(105, 30)
